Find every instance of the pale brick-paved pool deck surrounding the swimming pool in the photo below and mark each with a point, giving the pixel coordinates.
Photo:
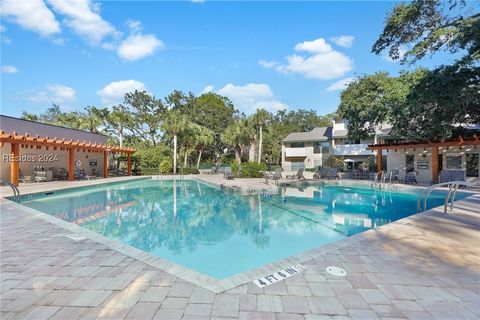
(425, 266)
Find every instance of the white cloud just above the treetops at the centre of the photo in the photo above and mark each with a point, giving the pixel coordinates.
(251, 97)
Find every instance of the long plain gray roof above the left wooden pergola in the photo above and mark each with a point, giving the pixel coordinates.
(21, 127)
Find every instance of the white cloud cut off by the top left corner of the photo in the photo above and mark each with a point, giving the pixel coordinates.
(32, 15)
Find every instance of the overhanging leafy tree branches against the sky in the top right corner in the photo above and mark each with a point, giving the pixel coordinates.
(426, 26)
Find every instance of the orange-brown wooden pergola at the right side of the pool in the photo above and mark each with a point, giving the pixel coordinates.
(435, 145)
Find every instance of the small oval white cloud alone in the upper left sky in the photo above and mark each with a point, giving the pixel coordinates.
(138, 46)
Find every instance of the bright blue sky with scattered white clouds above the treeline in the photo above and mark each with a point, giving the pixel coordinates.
(260, 54)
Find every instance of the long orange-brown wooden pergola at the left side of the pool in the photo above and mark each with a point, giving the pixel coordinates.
(26, 140)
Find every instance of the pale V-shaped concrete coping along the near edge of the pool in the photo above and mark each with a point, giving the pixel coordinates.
(209, 283)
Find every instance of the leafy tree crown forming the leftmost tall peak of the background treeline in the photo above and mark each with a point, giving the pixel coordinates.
(147, 113)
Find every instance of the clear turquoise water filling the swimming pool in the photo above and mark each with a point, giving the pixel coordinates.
(220, 233)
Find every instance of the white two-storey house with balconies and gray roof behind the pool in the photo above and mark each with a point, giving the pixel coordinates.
(306, 149)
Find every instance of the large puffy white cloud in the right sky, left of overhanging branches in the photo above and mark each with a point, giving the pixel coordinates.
(321, 62)
